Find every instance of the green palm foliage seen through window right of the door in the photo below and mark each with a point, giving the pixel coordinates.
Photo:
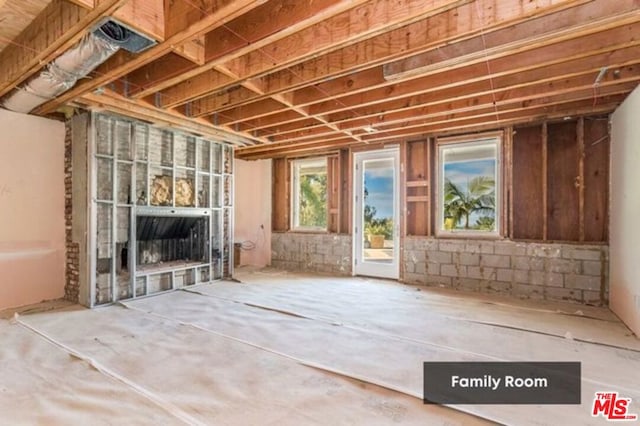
(479, 198)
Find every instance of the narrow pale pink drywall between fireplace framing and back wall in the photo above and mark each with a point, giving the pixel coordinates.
(252, 206)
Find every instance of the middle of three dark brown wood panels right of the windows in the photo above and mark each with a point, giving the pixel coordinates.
(563, 182)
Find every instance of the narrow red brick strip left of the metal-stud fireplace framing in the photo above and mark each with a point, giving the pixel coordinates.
(72, 260)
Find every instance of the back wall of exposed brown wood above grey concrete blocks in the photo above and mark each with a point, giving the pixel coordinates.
(547, 169)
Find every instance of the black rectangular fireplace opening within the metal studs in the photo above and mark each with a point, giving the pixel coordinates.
(171, 242)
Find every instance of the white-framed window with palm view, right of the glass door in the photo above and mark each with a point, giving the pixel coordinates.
(468, 187)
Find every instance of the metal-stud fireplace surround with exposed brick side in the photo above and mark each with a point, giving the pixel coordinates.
(155, 208)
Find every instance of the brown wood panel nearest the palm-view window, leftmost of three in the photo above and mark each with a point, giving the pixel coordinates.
(528, 191)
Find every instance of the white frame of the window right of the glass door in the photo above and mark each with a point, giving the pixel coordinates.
(470, 140)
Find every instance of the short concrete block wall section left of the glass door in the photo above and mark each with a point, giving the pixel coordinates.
(327, 253)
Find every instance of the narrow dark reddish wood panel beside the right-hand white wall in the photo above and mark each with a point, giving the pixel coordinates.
(596, 179)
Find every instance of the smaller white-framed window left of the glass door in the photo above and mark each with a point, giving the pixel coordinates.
(309, 194)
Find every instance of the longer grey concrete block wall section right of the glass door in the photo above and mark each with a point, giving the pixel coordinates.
(549, 271)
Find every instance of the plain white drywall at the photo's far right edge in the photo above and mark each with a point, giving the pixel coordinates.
(625, 205)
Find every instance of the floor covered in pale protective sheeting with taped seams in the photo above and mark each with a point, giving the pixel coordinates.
(294, 349)
